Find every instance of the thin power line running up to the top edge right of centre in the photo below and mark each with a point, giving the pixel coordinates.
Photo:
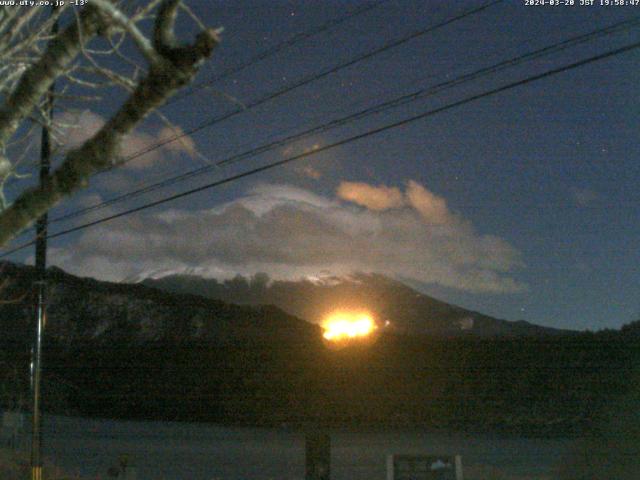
(303, 82)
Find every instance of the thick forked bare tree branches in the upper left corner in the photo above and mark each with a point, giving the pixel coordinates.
(171, 67)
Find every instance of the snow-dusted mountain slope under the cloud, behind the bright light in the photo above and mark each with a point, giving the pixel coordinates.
(392, 303)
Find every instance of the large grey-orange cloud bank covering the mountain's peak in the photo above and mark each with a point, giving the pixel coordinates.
(291, 232)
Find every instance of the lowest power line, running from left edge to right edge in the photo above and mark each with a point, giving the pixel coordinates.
(375, 131)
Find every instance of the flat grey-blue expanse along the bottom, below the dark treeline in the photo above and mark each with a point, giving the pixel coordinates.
(176, 451)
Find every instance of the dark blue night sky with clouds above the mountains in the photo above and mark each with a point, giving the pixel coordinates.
(521, 205)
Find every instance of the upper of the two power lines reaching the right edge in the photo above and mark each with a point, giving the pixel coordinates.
(395, 102)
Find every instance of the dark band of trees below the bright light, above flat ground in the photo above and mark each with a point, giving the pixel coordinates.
(547, 386)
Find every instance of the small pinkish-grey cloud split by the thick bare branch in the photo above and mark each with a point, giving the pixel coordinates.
(76, 128)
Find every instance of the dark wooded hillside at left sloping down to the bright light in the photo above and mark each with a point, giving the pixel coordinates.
(82, 310)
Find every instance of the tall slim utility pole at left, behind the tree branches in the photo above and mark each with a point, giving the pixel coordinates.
(41, 287)
